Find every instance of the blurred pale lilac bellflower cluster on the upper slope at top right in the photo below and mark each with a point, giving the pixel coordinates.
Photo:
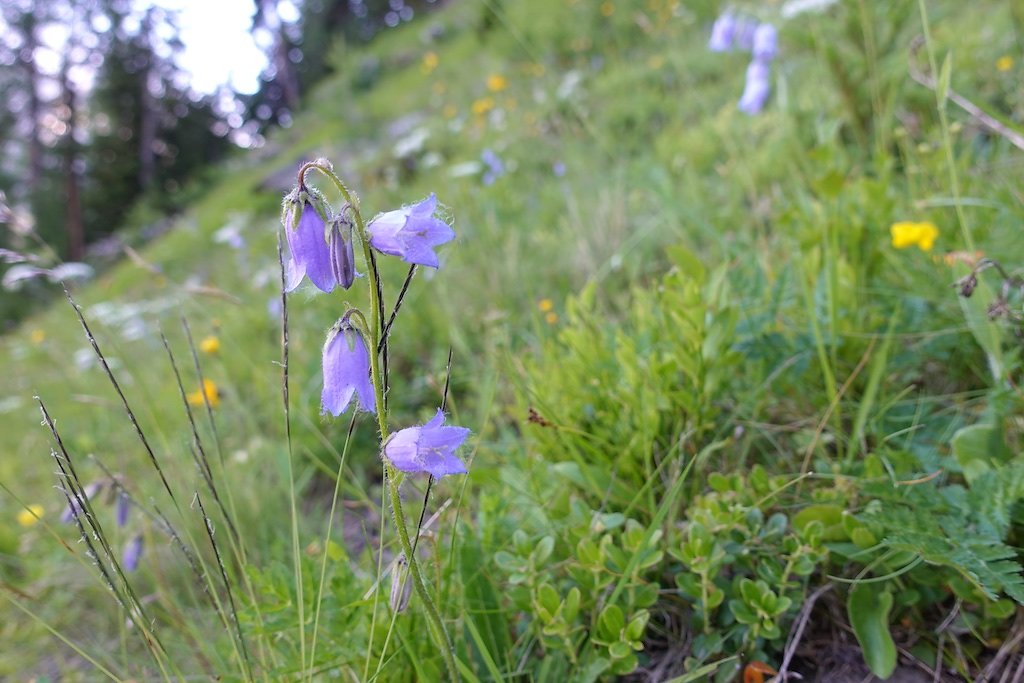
(761, 39)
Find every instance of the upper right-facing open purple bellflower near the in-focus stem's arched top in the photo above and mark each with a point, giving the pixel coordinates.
(411, 233)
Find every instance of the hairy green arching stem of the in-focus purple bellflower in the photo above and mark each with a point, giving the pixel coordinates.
(435, 622)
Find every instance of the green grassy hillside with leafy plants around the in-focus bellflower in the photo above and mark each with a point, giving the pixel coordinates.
(731, 413)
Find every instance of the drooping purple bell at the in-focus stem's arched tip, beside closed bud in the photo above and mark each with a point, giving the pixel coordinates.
(308, 244)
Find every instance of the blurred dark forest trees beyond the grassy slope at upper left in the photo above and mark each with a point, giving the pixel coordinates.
(101, 127)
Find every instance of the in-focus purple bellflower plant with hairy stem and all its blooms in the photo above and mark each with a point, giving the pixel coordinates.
(323, 242)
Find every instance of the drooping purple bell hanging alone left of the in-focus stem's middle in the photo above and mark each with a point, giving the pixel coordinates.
(347, 371)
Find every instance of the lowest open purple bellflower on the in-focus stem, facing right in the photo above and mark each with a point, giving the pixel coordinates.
(430, 448)
